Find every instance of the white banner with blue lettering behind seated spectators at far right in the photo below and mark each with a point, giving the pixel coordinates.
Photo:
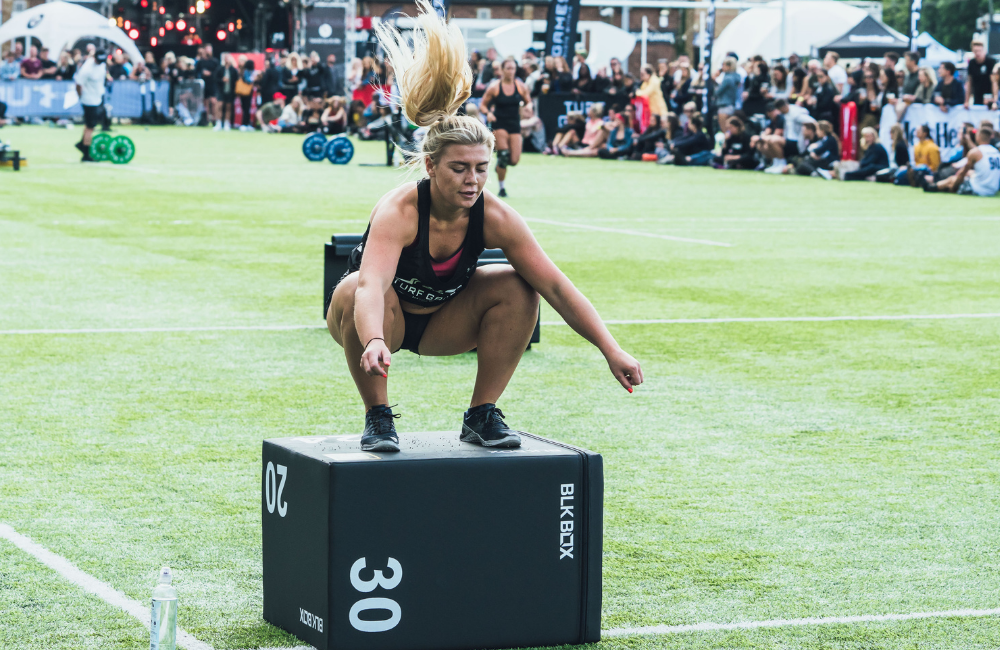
(946, 128)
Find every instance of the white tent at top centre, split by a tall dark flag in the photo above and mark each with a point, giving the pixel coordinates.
(606, 41)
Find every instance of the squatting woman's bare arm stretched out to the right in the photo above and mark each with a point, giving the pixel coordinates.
(507, 230)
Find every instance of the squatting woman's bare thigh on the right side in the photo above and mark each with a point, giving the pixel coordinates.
(454, 328)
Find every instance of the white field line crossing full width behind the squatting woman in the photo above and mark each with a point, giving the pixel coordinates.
(548, 323)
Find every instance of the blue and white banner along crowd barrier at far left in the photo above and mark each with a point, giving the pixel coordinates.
(58, 99)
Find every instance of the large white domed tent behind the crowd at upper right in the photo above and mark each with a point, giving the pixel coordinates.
(808, 24)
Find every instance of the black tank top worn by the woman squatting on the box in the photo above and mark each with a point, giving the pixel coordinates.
(415, 281)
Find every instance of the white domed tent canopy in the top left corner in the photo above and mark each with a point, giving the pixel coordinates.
(59, 25)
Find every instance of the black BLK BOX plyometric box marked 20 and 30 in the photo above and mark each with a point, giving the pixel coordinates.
(443, 544)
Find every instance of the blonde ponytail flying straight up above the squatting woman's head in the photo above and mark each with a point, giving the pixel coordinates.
(434, 77)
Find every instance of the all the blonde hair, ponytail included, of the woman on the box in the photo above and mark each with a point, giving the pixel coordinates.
(434, 81)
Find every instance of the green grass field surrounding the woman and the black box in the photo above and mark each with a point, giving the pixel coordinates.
(765, 470)
